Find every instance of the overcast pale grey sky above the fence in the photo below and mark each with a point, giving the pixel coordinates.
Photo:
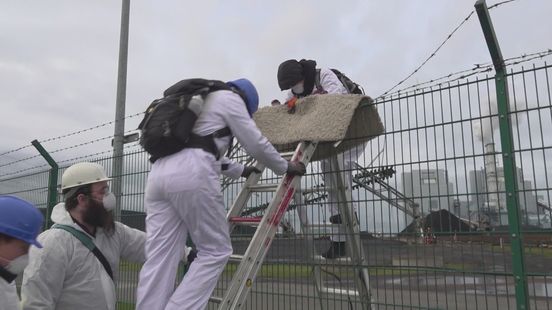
(58, 59)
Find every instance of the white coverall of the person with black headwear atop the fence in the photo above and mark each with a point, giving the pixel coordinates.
(332, 85)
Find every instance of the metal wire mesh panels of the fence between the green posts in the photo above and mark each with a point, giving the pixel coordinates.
(429, 194)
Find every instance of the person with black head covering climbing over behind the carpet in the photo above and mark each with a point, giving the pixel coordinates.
(300, 78)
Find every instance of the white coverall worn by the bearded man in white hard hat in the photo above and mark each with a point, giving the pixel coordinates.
(65, 275)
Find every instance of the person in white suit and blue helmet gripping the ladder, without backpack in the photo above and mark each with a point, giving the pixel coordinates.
(183, 197)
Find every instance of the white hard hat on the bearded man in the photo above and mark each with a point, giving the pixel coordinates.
(82, 174)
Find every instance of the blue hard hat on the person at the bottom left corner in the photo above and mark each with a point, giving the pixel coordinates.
(20, 219)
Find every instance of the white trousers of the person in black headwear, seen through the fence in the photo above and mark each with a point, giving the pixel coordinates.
(330, 173)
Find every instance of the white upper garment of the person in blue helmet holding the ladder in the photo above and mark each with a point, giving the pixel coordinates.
(226, 109)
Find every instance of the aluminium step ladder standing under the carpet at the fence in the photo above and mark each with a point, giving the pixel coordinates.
(249, 264)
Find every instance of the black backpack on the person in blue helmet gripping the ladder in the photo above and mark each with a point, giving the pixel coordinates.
(168, 121)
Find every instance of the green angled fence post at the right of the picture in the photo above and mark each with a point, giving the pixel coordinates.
(508, 157)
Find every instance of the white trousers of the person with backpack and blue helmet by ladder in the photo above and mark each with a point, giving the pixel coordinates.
(183, 196)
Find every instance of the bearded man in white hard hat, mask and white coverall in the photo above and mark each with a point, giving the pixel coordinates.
(65, 274)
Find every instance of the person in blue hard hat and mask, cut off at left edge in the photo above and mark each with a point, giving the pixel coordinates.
(20, 224)
